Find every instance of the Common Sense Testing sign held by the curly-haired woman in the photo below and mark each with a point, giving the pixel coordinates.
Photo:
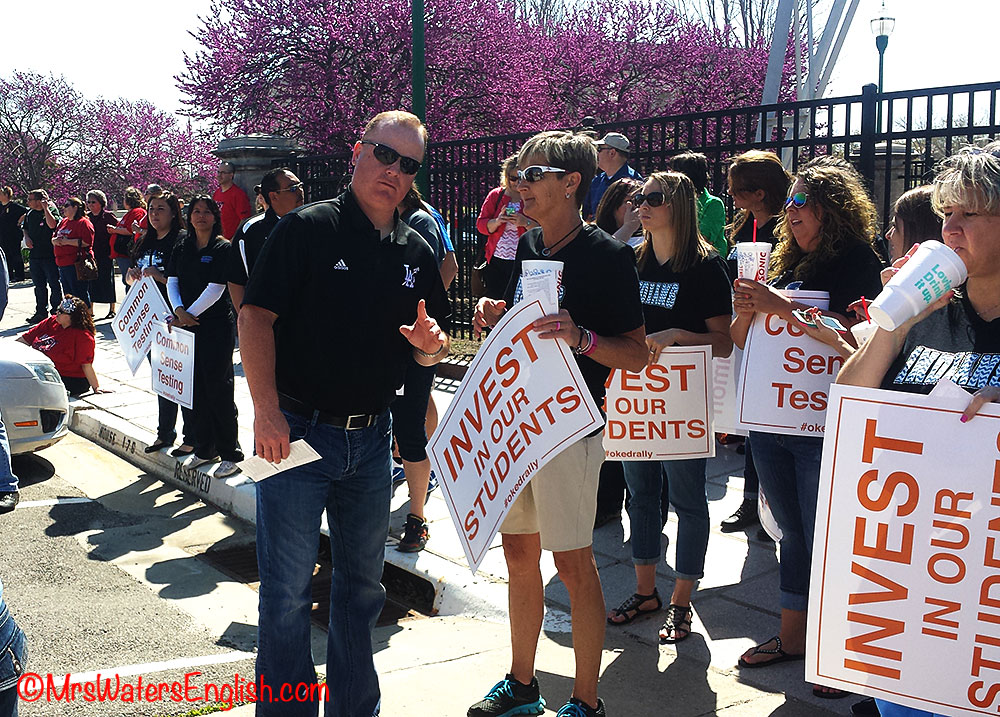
(786, 375)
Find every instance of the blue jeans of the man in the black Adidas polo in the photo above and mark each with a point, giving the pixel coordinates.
(353, 483)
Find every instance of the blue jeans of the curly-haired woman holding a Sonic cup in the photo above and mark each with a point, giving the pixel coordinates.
(788, 469)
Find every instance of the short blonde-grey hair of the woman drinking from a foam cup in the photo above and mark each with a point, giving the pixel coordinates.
(970, 179)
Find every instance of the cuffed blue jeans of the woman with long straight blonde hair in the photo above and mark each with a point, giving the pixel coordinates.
(685, 482)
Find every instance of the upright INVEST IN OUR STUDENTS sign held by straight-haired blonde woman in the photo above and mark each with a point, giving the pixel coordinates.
(663, 413)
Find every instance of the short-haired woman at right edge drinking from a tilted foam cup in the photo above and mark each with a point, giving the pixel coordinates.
(958, 336)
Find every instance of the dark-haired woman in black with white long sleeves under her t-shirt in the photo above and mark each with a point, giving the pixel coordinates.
(196, 286)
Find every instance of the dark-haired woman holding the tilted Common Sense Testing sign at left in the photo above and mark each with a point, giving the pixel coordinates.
(150, 257)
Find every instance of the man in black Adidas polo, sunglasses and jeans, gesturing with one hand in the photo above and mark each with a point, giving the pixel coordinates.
(342, 295)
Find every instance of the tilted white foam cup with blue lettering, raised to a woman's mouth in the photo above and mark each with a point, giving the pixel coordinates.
(925, 277)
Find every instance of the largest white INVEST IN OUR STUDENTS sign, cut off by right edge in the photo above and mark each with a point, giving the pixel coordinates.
(904, 600)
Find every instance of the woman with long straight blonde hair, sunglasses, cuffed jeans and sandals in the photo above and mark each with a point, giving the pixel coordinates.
(684, 288)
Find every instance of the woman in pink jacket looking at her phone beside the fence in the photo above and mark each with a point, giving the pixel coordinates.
(502, 221)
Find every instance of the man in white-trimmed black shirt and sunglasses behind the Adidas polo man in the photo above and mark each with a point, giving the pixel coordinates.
(282, 192)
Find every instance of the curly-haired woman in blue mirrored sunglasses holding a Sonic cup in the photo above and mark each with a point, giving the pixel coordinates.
(826, 245)
